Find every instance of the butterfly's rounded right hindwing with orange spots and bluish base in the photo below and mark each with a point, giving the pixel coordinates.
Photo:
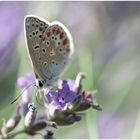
(56, 50)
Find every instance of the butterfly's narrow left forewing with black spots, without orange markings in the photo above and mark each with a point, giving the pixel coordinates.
(34, 29)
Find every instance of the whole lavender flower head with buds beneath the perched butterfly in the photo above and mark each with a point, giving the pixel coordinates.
(64, 104)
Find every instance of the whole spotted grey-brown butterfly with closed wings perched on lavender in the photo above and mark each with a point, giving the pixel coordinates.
(50, 48)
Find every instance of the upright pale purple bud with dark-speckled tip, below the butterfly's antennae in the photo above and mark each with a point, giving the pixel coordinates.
(30, 116)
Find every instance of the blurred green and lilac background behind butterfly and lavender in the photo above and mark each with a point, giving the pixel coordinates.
(106, 36)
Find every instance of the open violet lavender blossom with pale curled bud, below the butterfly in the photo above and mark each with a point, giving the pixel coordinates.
(68, 92)
